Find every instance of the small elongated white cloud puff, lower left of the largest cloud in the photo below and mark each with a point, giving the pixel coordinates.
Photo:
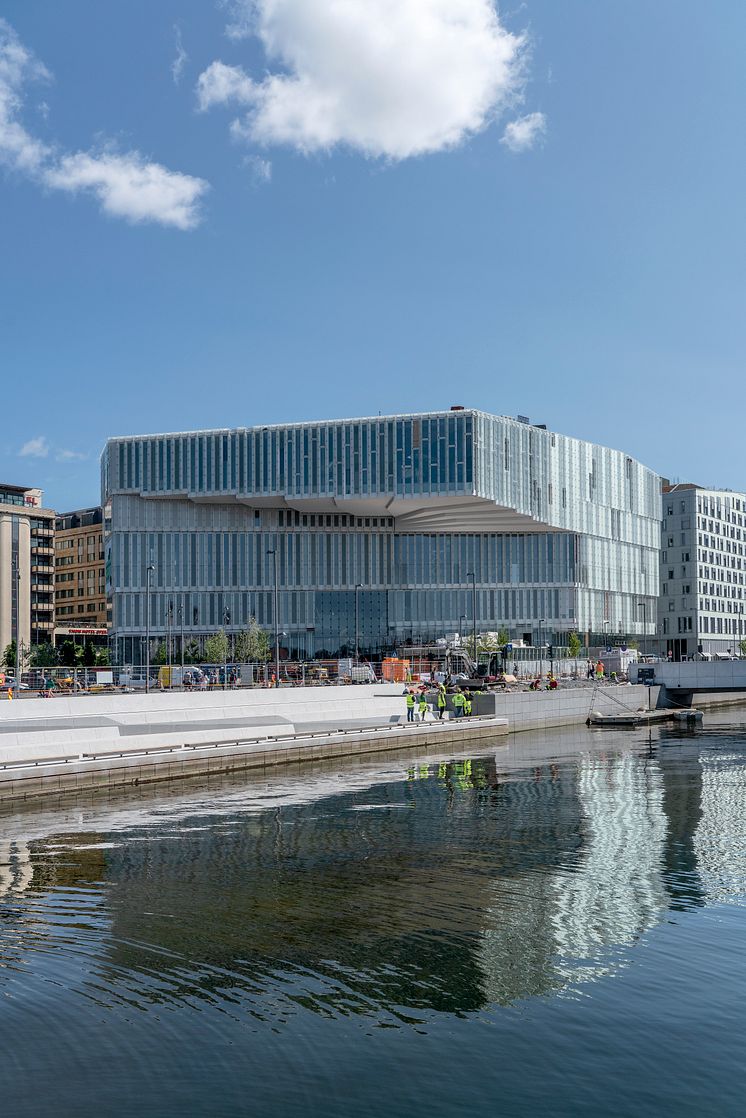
(128, 186)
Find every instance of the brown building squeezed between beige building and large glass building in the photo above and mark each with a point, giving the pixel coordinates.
(80, 579)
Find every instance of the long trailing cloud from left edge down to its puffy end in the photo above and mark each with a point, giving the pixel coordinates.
(126, 185)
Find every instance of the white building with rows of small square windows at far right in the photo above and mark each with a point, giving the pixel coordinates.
(702, 604)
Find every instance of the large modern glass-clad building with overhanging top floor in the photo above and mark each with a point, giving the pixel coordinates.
(383, 528)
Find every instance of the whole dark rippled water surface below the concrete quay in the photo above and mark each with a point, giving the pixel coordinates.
(556, 927)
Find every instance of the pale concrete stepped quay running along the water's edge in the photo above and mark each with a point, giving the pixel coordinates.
(86, 742)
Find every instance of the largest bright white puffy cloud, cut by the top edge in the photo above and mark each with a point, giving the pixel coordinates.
(391, 79)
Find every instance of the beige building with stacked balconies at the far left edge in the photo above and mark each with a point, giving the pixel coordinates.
(27, 567)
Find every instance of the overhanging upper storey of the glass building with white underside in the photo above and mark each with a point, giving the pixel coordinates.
(458, 471)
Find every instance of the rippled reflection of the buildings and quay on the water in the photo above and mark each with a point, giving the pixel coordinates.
(384, 892)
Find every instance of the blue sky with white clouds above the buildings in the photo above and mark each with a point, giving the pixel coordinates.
(224, 214)
